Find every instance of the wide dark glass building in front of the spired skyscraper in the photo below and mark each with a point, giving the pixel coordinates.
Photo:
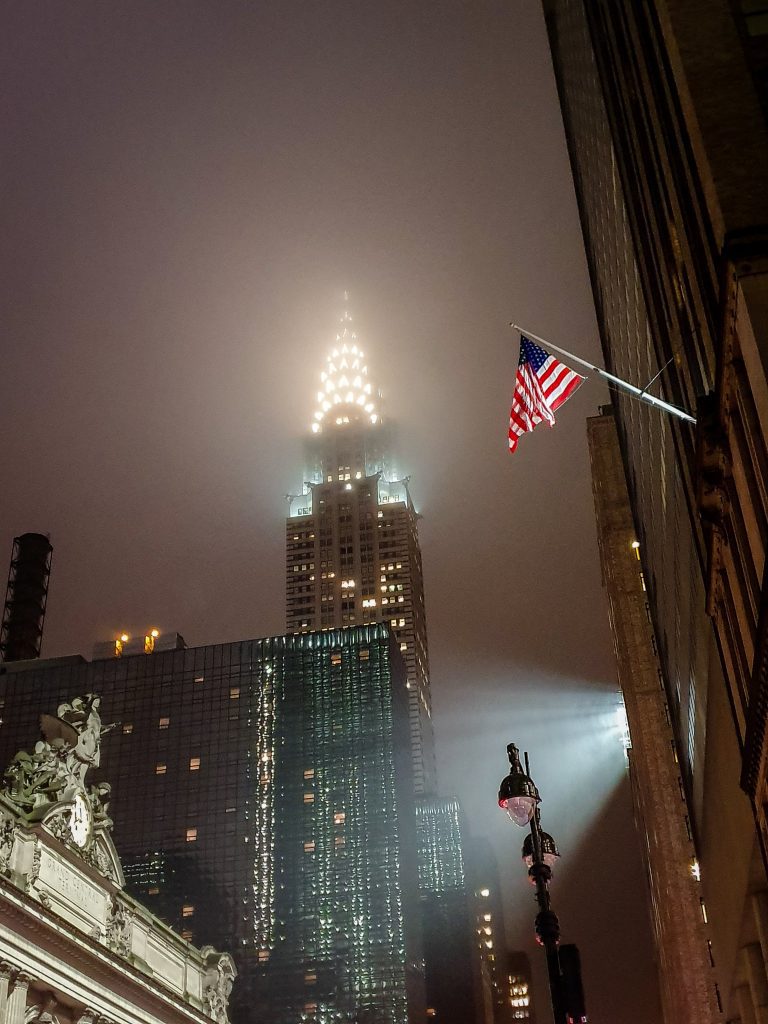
(265, 797)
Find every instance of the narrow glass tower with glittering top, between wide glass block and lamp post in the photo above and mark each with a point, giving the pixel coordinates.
(456, 994)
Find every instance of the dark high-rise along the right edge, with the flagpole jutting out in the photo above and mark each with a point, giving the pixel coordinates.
(669, 148)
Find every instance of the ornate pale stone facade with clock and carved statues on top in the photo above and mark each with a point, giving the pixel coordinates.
(75, 949)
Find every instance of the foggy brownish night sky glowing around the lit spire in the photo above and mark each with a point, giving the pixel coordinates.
(188, 190)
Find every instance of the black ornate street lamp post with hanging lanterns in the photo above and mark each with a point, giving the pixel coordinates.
(520, 798)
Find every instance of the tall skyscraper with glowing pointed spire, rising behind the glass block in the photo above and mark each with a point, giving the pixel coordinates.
(353, 542)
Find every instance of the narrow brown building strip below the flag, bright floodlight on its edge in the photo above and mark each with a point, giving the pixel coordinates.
(687, 973)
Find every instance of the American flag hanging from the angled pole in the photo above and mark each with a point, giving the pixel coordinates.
(543, 386)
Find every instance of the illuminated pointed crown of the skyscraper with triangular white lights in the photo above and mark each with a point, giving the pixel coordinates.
(347, 394)
